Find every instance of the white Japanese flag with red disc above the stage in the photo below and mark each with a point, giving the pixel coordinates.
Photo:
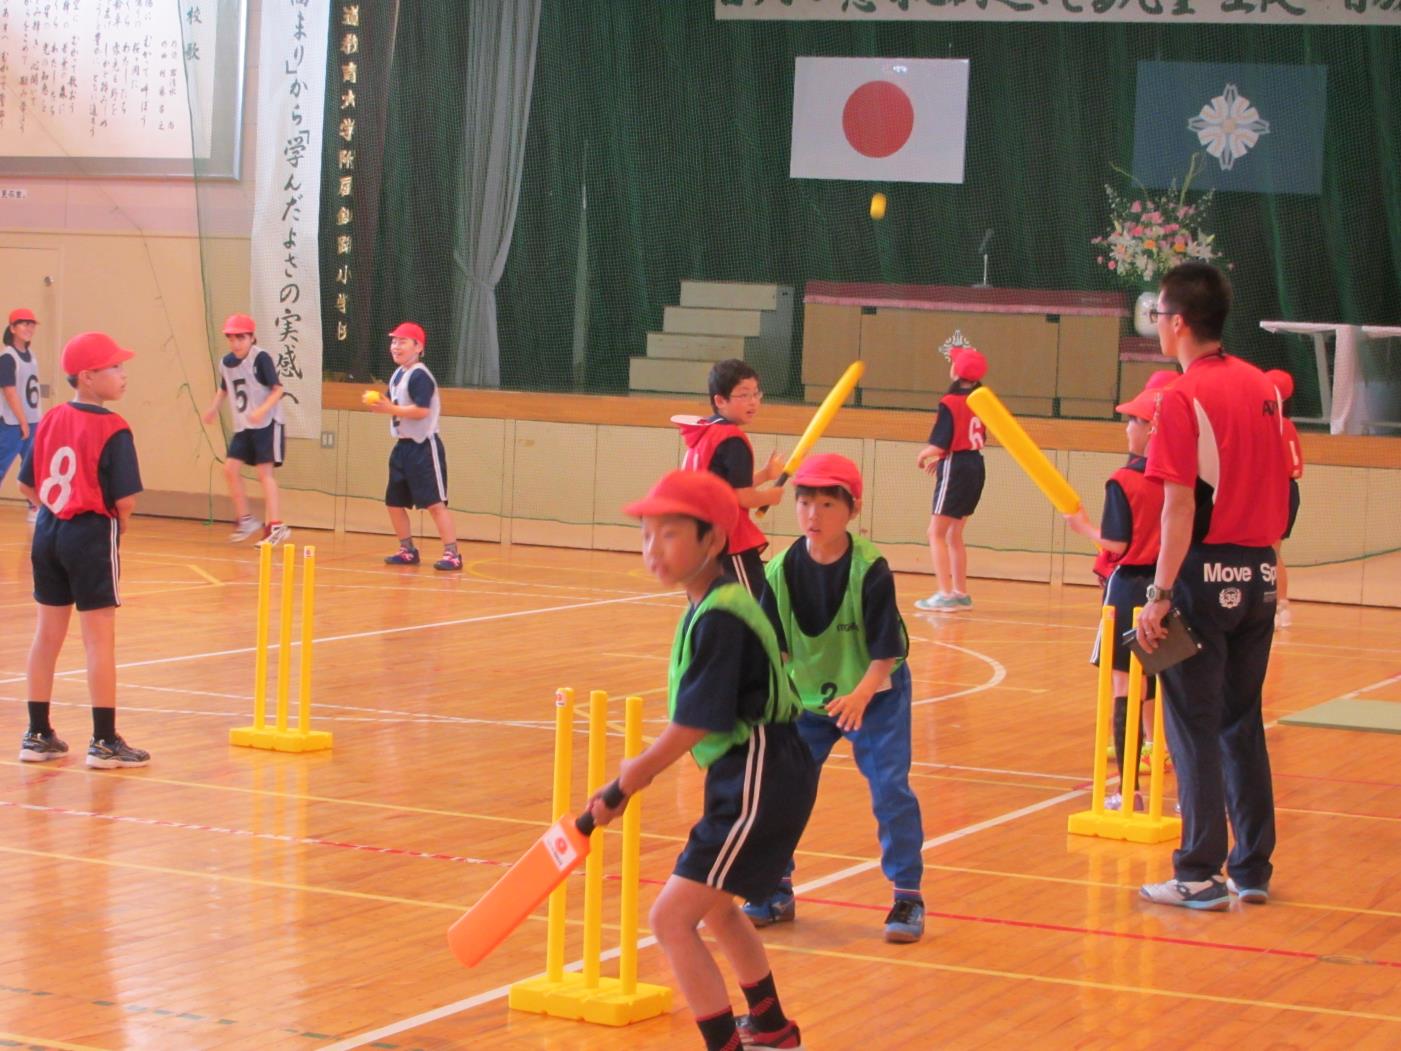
(882, 120)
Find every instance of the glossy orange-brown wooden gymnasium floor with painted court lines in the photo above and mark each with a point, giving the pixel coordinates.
(235, 899)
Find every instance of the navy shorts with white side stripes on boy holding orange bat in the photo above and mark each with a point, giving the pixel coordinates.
(757, 801)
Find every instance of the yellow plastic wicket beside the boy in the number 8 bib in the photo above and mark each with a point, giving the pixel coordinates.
(279, 738)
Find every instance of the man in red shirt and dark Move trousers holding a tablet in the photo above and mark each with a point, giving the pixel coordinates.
(1217, 448)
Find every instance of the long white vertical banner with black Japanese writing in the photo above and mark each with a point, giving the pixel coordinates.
(285, 267)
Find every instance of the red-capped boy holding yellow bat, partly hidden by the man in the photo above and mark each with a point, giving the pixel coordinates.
(1129, 539)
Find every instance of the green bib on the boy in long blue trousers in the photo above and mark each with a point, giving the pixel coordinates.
(829, 666)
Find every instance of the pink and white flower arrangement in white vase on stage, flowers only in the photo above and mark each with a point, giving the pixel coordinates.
(1151, 235)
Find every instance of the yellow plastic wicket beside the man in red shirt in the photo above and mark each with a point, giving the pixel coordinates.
(1126, 823)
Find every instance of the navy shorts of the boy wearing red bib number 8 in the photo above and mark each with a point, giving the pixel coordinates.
(76, 561)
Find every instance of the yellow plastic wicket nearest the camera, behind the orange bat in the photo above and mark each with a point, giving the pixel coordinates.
(588, 996)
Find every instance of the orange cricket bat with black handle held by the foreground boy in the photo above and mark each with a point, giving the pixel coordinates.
(525, 886)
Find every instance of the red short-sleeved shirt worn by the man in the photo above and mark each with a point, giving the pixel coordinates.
(1218, 430)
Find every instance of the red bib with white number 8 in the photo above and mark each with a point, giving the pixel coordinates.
(68, 446)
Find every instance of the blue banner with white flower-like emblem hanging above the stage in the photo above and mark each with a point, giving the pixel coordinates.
(1259, 128)
